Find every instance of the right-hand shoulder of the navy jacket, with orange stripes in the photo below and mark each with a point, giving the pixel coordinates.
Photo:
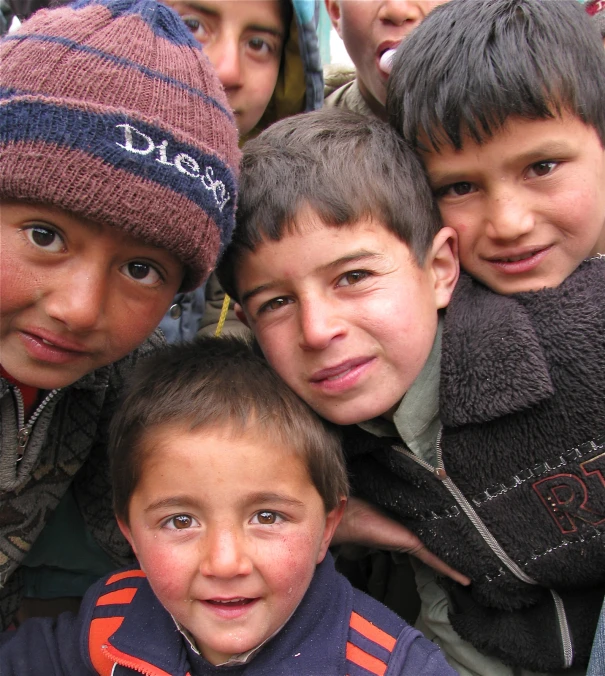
(380, 642)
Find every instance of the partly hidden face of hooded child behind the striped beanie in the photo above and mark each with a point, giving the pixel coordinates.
(244, 42)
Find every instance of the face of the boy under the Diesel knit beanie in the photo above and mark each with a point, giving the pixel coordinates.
(76, 295)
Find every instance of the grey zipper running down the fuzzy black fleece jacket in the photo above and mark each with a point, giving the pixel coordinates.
(440, 473)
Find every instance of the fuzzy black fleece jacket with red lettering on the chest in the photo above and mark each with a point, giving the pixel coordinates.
(523, 408)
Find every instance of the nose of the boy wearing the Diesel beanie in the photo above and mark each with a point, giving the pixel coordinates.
(79, 298)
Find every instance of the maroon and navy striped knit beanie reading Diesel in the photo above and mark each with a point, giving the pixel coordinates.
(110, 110)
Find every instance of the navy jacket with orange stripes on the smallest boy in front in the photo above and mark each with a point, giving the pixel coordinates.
(123, 629)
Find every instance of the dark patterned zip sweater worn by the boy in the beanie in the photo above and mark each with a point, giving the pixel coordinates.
(67, 442)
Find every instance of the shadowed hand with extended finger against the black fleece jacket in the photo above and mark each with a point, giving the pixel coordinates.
(363, 524)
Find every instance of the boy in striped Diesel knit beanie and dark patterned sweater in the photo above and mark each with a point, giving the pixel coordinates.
(118, 157)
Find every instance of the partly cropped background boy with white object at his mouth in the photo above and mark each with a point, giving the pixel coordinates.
(371, 31)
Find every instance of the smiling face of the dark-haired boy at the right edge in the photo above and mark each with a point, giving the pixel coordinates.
(528, 204)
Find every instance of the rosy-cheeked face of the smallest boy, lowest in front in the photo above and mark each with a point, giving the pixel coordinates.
(229, 529)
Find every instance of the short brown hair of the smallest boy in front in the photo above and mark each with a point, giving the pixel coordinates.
(218, 382)
